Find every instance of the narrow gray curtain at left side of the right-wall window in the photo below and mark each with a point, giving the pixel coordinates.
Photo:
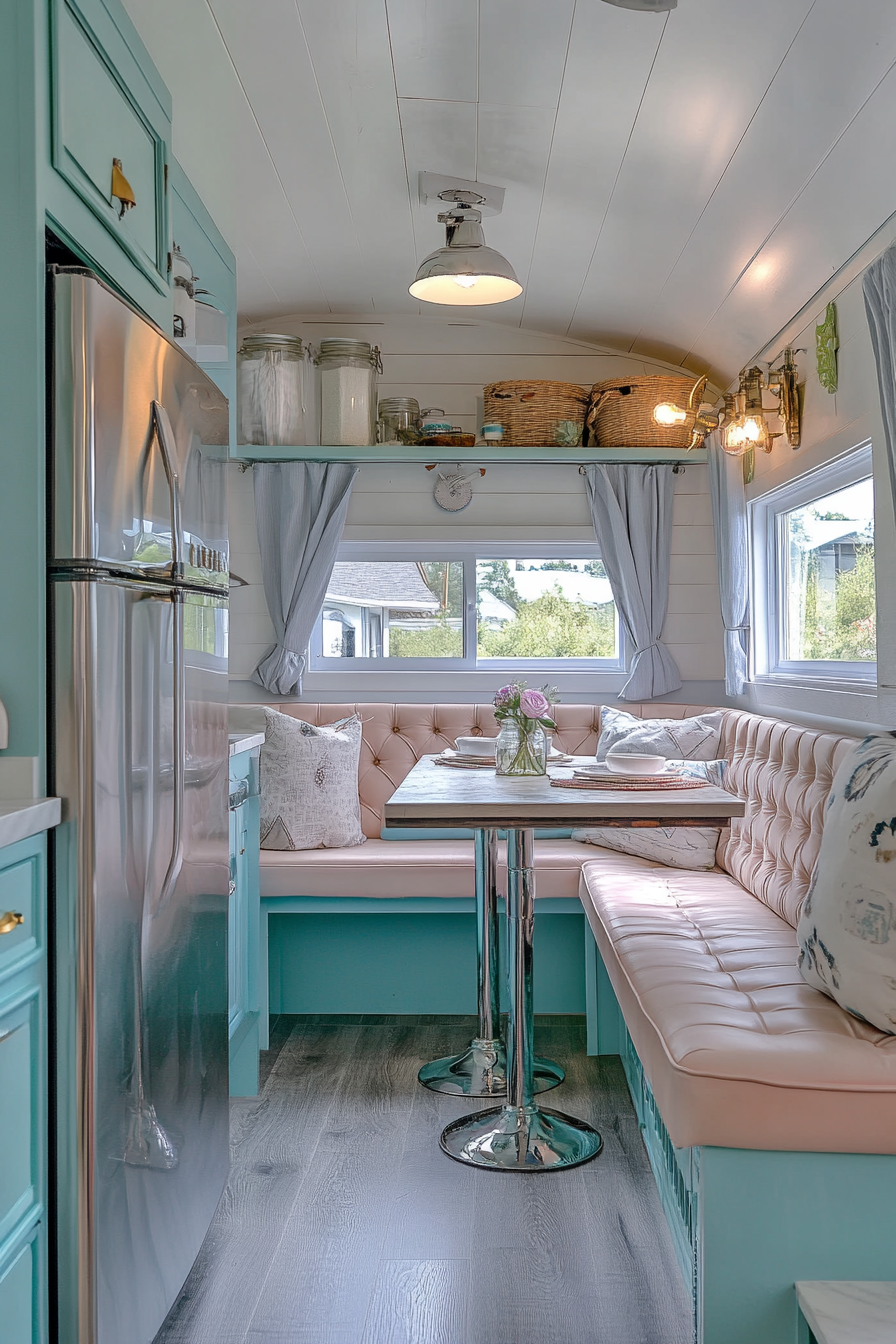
(730, 525)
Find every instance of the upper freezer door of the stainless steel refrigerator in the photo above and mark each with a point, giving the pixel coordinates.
(126, 398)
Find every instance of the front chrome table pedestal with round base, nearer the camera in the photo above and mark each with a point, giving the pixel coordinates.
(521, 1136)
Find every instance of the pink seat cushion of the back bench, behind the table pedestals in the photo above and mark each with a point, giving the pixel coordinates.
(389, 869)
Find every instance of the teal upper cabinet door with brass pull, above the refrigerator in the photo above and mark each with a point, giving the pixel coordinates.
(108, 106)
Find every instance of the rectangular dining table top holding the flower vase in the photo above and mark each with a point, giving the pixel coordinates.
(435, 795)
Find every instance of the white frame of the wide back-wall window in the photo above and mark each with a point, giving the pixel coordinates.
(469, 553)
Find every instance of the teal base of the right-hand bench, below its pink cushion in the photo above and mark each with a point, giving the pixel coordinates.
(748, 1224)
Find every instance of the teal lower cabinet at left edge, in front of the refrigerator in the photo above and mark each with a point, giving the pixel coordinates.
(24, 1100)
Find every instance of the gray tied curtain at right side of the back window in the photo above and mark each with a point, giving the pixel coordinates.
(632, 513)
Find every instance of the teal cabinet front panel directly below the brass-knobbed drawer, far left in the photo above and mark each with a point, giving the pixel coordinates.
(19, 1112)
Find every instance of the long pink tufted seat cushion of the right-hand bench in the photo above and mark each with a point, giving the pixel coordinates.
(740, 1050)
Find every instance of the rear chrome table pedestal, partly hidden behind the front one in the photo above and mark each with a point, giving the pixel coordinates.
(482, 1069)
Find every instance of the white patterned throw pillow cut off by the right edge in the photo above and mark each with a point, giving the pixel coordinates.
(847, 929)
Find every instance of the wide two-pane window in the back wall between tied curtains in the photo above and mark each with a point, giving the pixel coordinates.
(468, 608)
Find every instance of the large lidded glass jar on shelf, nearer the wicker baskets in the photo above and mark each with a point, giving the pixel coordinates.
(349, 373)
